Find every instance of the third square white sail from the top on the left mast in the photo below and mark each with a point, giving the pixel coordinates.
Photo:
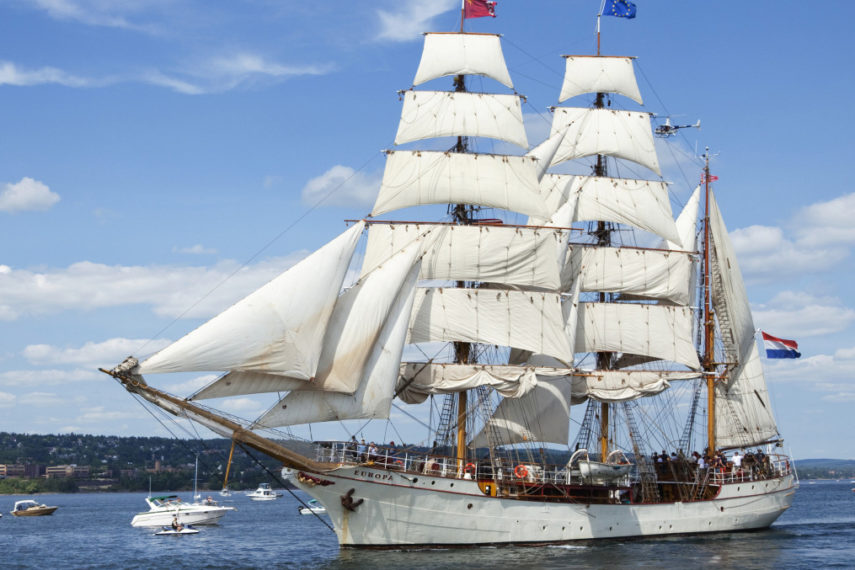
(414, 178)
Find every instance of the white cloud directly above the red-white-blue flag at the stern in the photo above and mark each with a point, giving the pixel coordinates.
(803, 315)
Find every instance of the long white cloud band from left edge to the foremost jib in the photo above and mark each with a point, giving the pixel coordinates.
(172, 291)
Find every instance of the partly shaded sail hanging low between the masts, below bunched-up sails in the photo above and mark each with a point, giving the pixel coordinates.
(542, 415)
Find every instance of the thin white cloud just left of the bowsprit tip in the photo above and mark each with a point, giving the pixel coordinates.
(91, 354)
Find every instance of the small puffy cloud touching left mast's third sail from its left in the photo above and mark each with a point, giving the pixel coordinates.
(342, 186)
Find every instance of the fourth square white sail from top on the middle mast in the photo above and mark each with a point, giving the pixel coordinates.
(648, 273)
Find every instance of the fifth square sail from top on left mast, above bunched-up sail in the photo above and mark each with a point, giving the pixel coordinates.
(528, 320)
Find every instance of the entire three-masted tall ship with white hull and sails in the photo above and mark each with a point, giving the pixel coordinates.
(585, 363)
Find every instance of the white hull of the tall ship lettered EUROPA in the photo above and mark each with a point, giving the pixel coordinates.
(402, 509)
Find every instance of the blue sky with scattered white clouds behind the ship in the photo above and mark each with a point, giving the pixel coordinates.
(160, 159)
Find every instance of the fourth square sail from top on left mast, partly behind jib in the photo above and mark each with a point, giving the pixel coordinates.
(524, 257)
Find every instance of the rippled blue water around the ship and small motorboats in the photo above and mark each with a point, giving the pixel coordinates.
(93, 531)
